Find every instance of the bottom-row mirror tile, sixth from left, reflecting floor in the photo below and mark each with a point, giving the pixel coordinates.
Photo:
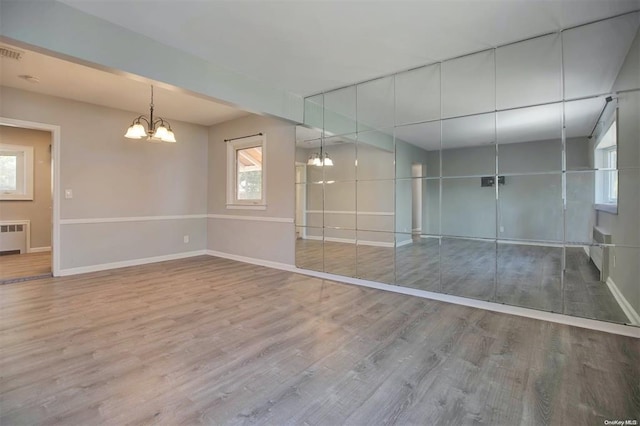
(530, 276)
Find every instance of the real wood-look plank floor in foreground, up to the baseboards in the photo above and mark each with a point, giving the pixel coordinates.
(212, 341)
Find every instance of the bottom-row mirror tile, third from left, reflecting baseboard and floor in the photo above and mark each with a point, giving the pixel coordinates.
(375, 256)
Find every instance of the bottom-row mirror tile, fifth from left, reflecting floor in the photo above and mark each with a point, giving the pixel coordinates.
(477, 278)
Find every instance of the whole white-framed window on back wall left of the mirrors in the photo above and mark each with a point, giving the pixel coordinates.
(246, 174)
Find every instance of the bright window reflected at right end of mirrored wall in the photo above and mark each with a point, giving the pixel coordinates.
(606, 158)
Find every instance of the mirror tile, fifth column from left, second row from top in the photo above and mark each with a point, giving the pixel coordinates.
(468, 146)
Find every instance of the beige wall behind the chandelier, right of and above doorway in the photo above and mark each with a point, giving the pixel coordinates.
(112, 176)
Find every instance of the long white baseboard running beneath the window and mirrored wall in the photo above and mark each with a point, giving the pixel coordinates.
(621, 329)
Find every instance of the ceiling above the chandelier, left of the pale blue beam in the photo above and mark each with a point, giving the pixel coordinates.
(73, 81)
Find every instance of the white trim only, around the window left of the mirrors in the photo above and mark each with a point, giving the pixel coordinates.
(232, 147)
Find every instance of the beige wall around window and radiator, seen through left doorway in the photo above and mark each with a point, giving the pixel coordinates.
(38, 211)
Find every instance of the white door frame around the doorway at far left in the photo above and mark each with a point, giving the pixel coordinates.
(55, 181)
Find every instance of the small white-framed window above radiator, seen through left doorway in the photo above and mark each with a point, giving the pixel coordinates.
(16, 172)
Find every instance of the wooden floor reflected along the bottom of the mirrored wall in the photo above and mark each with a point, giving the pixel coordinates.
(514, 274)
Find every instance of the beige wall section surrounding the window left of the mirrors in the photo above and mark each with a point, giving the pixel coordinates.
(271, 241)
